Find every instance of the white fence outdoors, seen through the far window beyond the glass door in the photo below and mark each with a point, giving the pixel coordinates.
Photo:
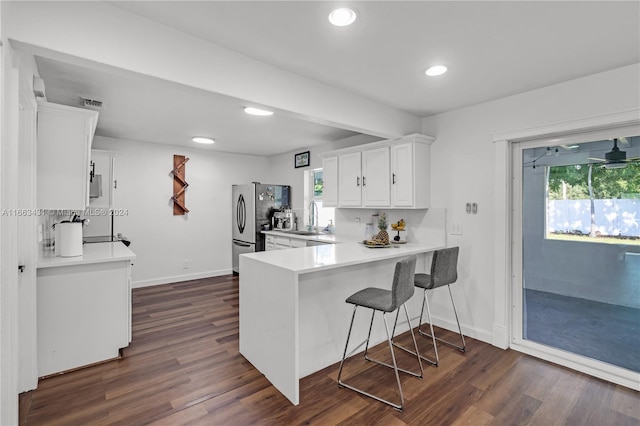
(616, 217)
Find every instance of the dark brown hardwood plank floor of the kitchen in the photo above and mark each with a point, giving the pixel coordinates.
(183, 367)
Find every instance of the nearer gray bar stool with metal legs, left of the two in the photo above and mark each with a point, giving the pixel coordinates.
(385, 301)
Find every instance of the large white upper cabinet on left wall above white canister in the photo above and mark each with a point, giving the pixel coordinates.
(64, 148)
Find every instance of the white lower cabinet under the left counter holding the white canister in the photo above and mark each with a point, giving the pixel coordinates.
(83, 314)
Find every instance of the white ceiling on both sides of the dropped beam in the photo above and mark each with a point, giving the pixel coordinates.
(492, 49)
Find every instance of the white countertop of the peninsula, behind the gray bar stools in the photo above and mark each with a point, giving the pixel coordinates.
(329, 256)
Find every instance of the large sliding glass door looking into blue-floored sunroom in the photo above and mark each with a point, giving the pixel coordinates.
(577, 223)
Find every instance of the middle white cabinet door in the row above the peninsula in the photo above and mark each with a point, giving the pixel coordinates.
(375, 177)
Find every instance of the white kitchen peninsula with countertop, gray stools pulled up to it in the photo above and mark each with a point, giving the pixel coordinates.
(293, 315)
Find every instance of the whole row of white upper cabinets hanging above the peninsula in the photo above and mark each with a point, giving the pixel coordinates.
(393, 174)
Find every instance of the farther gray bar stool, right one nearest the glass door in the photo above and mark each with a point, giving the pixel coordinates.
(444, 271)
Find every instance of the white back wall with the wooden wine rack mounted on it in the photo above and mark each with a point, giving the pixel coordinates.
(161, 240)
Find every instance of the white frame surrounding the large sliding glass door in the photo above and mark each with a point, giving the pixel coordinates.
(507, 327)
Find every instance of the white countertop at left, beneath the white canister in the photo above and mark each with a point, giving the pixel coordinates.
(91, 253)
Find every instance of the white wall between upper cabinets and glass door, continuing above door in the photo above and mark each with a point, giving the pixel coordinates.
(463, 167)
